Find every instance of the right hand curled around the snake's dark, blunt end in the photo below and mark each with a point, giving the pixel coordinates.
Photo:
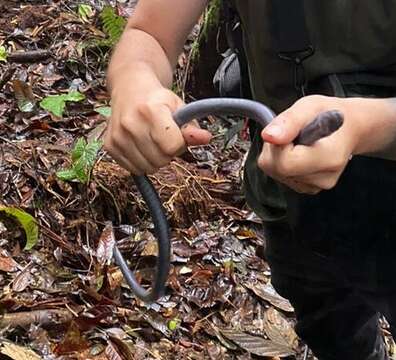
(310, 169)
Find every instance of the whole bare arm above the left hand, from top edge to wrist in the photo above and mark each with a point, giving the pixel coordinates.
(151, 44)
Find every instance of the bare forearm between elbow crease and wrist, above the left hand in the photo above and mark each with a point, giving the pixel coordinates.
(137, 56)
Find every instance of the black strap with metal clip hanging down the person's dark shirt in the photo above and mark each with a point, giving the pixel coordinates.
(290, 36)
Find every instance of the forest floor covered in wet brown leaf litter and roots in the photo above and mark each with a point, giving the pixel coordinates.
(65, 298)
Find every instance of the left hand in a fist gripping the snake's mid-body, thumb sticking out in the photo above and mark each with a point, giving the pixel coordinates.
(142, 135)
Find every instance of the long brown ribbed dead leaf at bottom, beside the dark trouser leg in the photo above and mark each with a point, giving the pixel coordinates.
(257, 345)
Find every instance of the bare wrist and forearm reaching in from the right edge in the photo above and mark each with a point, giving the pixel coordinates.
(377, 119)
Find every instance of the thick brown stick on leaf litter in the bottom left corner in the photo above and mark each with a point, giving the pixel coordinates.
(41, 317)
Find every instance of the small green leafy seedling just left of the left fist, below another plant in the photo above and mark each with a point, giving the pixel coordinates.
(83, 158)
